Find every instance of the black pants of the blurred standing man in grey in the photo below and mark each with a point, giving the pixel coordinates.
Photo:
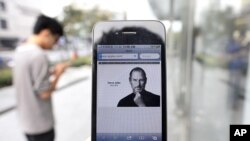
(47, 136)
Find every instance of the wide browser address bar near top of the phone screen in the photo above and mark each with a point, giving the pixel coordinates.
(119, 56)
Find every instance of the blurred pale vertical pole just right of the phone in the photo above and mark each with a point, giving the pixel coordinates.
(186, 65)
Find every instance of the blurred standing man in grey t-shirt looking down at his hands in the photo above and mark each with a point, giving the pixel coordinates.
(32, 80)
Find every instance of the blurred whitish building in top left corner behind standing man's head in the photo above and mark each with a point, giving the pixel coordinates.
(16, 21)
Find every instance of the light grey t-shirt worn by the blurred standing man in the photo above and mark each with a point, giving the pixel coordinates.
(31, 77)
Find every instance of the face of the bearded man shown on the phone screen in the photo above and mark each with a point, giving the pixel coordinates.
(137, 81)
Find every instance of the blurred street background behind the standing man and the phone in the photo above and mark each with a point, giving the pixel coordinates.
(208, 79)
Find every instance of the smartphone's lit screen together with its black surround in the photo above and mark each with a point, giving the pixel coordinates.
(130, 92)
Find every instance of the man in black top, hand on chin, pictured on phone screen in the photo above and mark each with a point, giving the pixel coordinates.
(140, 97)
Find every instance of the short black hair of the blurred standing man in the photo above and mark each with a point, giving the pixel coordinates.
(44, 22)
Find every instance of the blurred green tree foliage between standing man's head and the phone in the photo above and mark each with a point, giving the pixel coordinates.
(79, 22)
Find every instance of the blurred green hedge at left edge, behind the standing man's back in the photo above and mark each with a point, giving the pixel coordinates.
(5, 77)
